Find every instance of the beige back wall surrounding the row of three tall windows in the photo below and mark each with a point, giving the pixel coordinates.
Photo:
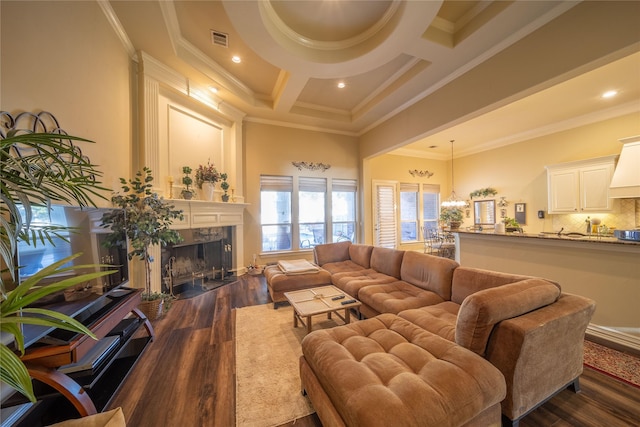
(270, 150)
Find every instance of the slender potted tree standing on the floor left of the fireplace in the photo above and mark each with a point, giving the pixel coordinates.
(145, 218)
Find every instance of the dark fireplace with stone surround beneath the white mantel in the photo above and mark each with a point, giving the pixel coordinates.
(203, 259)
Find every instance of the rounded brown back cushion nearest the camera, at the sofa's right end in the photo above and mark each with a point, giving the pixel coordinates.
(482, 310)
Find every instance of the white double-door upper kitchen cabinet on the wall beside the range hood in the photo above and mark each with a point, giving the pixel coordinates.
(580, 187)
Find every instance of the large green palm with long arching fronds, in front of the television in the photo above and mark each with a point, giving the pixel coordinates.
(48, 169)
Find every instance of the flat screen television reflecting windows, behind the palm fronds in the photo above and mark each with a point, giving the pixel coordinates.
(87, 236)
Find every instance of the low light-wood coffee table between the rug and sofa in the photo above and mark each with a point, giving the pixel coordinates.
(310, 302)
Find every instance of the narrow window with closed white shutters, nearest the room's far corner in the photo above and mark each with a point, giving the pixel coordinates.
(385, 215)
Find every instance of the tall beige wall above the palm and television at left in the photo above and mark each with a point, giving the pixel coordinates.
(69, 62)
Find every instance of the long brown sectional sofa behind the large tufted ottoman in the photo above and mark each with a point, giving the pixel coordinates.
(524, 326)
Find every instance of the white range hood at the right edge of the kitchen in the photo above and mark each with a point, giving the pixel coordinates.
(625, 183)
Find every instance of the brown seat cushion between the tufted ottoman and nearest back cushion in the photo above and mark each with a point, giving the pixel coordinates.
(439, 318)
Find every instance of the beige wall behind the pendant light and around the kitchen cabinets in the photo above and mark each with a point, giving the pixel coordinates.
(516, 171)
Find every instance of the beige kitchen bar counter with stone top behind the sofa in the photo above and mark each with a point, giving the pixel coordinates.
(604, 269)
